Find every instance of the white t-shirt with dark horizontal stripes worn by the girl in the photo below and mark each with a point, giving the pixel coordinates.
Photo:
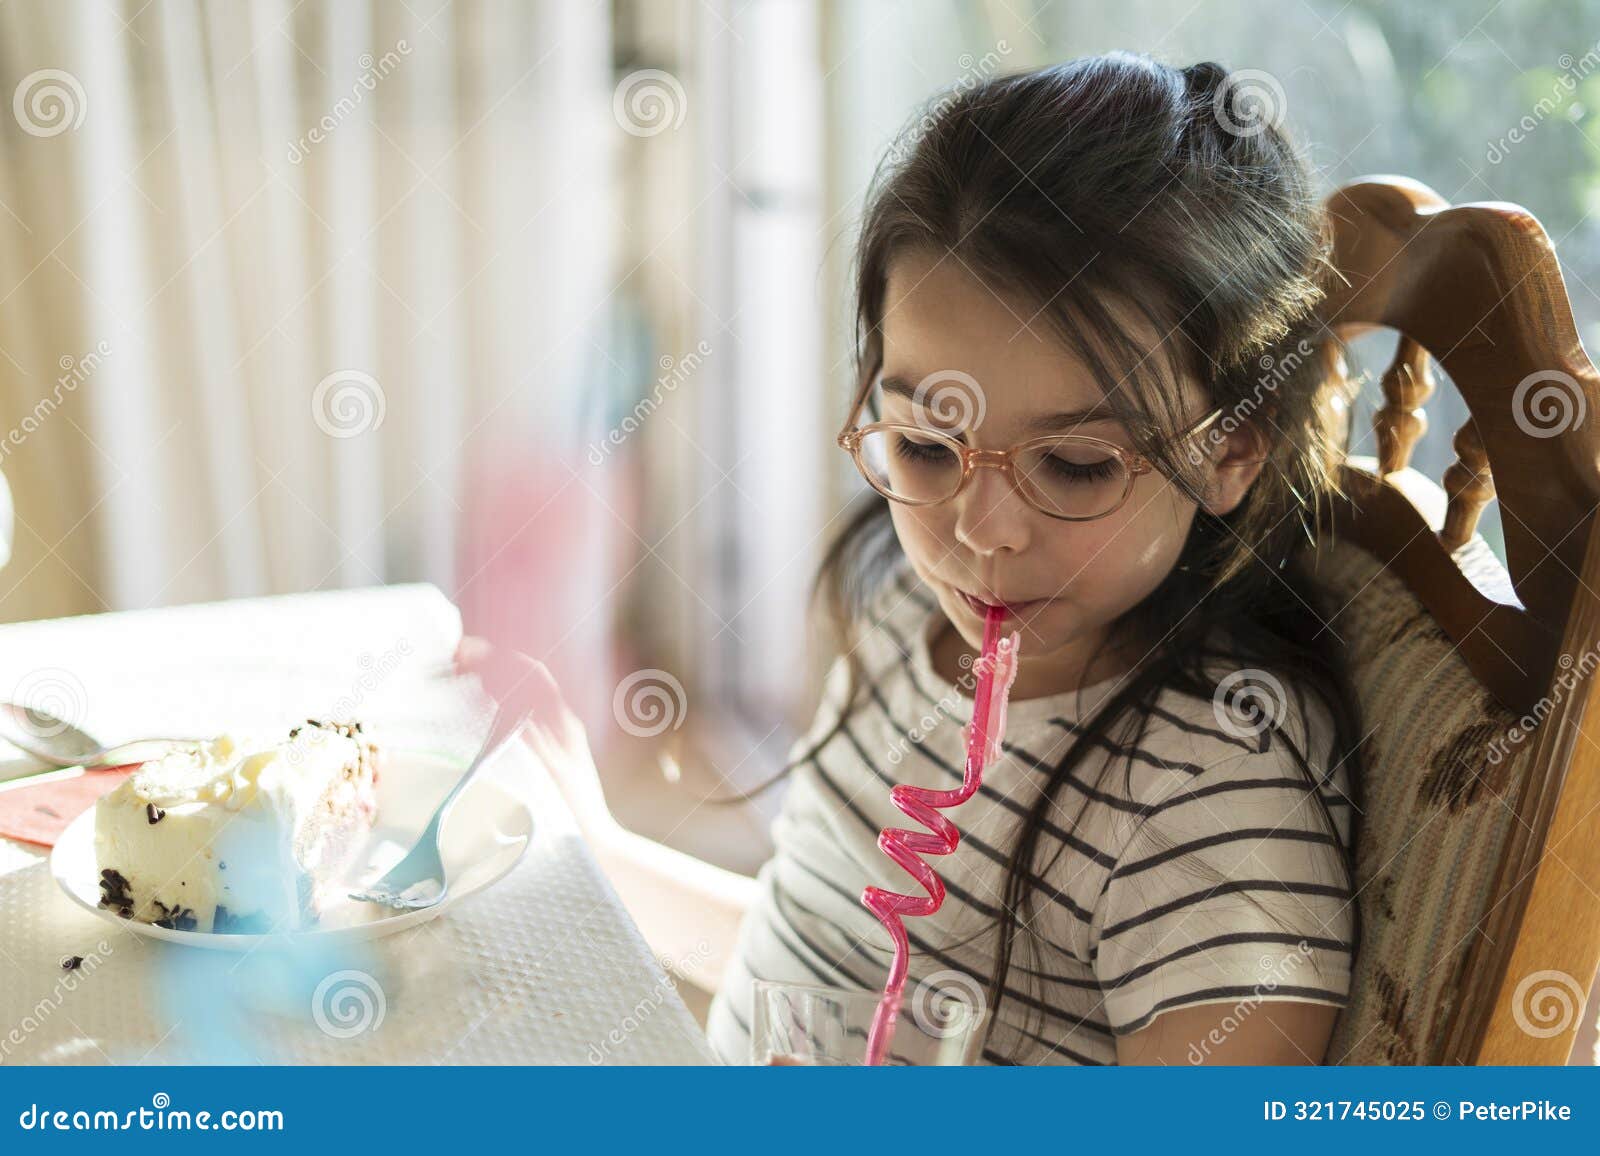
(1153, 901)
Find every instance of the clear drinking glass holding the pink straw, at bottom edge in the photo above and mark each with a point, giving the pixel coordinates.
(799, 1024)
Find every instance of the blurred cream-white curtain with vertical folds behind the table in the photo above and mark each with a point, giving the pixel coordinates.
(306, 295)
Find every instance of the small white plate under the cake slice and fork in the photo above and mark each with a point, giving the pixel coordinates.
(487, 835)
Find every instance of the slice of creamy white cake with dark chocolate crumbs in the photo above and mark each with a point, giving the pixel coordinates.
(238, 835)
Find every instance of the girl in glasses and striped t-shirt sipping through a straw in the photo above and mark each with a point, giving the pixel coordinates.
(1105, 271)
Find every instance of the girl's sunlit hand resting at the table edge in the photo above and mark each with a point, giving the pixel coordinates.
(553, 731)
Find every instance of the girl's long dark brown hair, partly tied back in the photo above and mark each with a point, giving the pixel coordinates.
(1119, 179)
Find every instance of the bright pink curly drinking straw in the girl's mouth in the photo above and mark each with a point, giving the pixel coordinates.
(996, 675)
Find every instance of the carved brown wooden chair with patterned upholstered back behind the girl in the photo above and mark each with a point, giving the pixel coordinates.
(1479, 857)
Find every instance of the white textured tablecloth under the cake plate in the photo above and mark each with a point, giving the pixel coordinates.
(543, 968)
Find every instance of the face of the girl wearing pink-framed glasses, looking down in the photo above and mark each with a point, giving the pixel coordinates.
(990, 542)
